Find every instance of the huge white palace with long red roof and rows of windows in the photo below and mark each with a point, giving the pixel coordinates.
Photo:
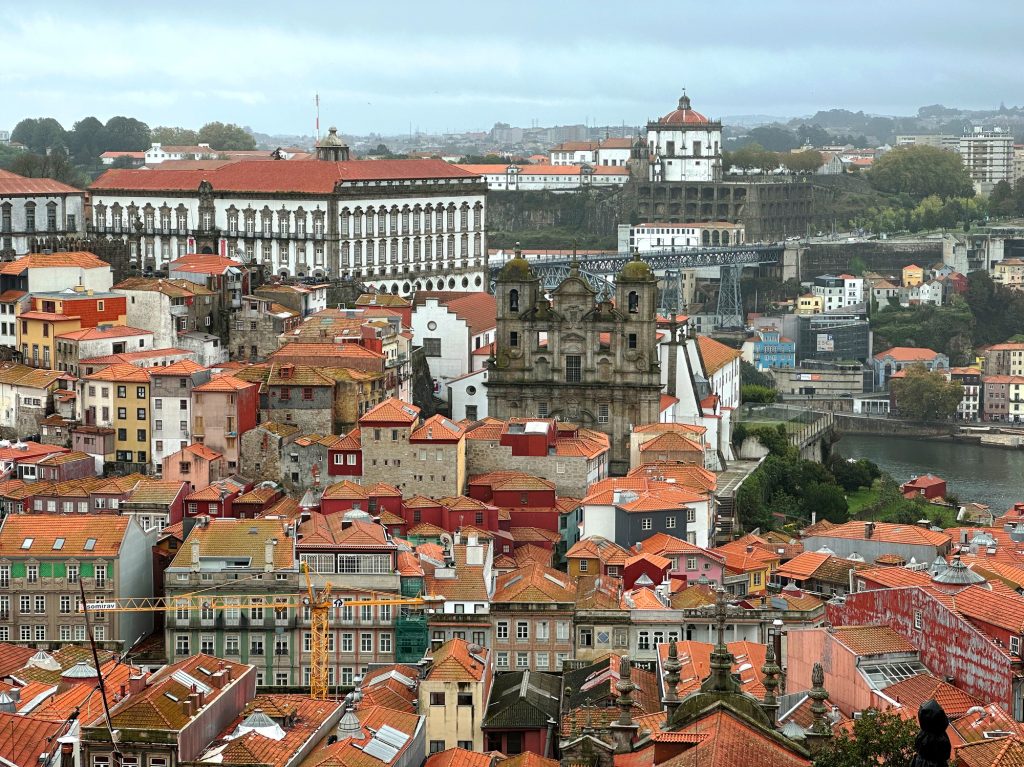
(400, 225)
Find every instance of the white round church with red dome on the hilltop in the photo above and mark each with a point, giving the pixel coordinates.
(685, 146)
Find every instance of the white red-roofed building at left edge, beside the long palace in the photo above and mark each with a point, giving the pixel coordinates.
(38, 207)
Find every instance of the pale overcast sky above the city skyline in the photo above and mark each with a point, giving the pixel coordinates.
(435, 65)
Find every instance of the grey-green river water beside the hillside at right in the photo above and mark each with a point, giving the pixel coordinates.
(988, 476)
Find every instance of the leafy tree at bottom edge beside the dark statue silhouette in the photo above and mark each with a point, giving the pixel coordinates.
(878, 738)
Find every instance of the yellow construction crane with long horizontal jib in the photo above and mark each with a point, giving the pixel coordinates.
(319, 603)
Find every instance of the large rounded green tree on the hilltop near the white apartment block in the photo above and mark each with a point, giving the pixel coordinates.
(920, 173)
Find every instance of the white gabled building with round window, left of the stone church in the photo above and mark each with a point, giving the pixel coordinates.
(450, 329)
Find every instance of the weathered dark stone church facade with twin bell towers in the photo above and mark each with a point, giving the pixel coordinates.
(576, 356)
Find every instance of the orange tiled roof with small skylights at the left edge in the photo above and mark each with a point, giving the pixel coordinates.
(42, 535)
